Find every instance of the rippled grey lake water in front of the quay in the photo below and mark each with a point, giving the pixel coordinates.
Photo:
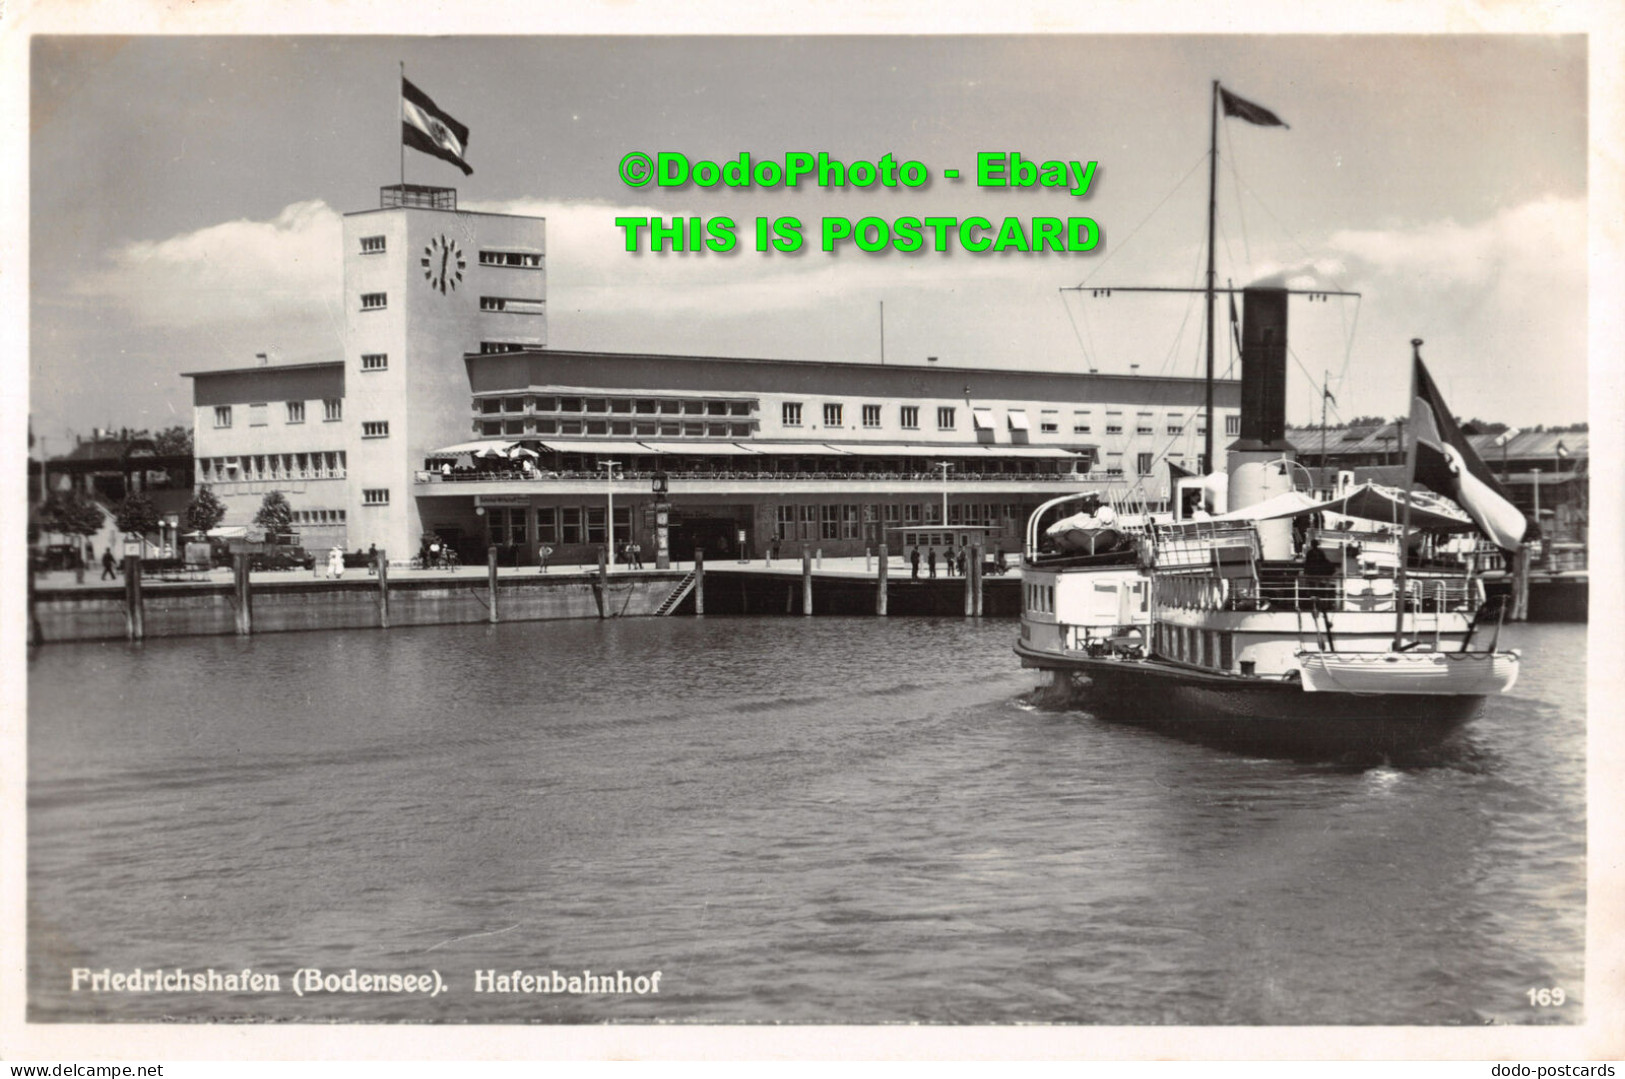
(792, 820)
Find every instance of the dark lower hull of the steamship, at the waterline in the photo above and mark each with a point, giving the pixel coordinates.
(1252, 714)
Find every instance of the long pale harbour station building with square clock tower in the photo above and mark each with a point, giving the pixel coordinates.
(448, 414)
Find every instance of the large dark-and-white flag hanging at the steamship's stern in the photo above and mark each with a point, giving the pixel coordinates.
(1445, 462)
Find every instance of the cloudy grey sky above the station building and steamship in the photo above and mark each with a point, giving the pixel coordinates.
(186, 199)
